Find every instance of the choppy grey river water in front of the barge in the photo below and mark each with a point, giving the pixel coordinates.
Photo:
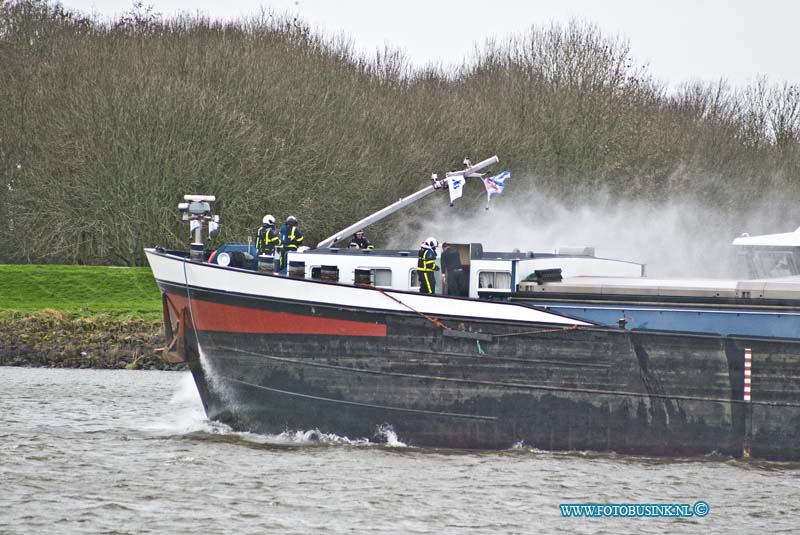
(96, 451)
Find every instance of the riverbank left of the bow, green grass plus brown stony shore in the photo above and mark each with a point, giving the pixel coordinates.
(79, 316)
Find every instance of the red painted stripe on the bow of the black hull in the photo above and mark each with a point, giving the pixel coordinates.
(210, 316)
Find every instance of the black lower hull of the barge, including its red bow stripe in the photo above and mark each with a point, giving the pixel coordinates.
(267, 365)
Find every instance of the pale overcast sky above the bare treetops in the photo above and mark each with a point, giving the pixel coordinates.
(679, 40)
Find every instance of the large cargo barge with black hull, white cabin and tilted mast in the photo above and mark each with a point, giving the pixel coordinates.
(345, 343)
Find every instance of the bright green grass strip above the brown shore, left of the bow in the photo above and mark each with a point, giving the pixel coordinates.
(80, 290)
